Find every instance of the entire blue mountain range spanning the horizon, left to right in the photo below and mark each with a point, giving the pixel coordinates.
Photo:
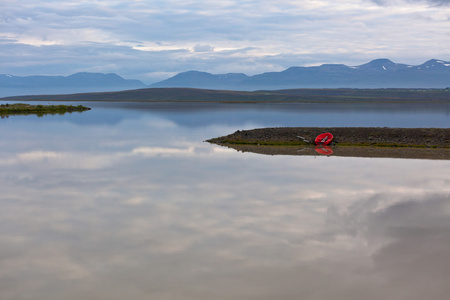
(379, 73)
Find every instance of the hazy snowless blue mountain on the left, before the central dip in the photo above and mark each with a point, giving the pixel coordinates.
(76, 83)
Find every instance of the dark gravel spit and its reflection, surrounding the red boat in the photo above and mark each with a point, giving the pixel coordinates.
(425, 143)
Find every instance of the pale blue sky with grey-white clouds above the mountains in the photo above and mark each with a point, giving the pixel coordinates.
(154, 40)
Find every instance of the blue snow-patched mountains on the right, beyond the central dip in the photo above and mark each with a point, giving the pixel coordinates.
(379, 73)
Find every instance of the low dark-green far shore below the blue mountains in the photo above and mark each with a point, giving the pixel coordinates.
(344, 95)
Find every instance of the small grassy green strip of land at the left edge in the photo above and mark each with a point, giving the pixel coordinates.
(39, 110)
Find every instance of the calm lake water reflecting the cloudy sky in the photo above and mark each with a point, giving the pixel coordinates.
(127, 201)
